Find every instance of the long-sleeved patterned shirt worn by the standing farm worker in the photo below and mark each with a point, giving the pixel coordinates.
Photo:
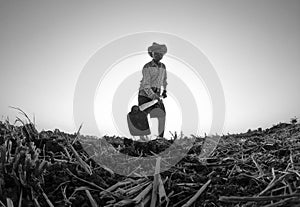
(154, 77)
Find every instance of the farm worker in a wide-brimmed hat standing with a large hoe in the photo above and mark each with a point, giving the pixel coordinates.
(154, 78)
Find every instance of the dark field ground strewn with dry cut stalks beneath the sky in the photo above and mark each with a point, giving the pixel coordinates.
(53, 168)
